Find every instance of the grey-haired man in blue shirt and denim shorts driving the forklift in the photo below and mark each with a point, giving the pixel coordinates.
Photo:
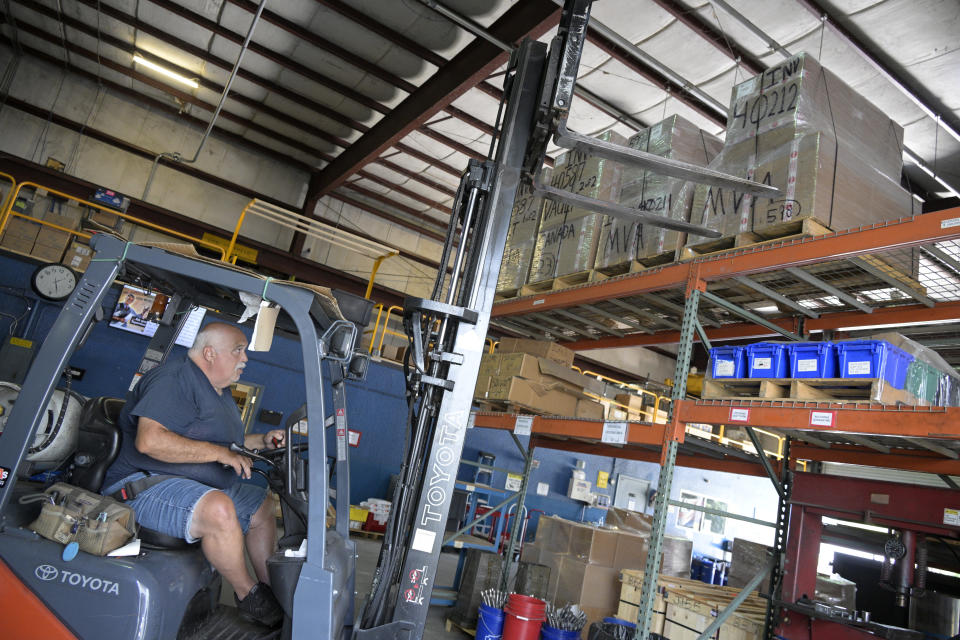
(179, 420)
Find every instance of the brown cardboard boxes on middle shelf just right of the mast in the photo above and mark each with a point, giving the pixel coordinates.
(536, 375)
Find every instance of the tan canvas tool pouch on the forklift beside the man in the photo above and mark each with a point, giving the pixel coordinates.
(99, 524)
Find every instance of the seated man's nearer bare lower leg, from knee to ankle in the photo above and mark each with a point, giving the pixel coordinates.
(221, 539)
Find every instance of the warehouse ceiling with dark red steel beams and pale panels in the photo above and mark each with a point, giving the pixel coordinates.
(385, 100)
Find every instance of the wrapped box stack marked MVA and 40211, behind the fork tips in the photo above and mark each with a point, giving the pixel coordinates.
(623, 240)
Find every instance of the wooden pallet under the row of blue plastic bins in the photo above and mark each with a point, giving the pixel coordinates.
(838, 389)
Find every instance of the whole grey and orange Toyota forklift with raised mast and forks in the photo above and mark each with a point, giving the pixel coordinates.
(167, 593)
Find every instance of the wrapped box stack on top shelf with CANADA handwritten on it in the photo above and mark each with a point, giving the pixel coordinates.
(568, 237)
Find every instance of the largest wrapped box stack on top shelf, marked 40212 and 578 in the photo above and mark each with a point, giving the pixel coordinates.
(835, 157)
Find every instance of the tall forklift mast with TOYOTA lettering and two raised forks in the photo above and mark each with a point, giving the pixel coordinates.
(447, 332)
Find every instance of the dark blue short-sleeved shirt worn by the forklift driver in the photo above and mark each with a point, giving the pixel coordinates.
(178, 395)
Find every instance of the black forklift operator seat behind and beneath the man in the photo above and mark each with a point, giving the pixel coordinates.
(98, 445)
